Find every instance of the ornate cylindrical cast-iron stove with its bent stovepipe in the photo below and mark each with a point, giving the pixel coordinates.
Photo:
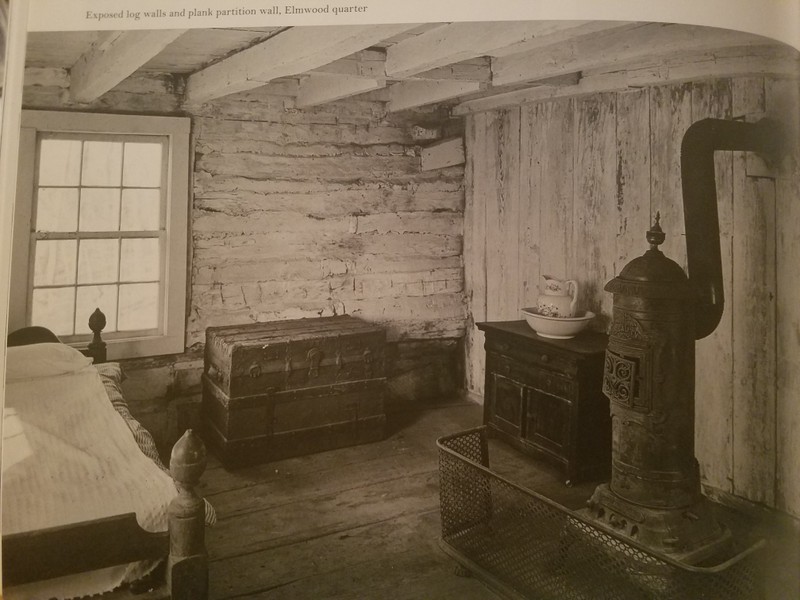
(654, 494)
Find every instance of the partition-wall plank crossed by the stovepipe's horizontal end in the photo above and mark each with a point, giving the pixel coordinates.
(753, 301)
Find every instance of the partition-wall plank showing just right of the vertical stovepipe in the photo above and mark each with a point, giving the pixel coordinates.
(714, 394)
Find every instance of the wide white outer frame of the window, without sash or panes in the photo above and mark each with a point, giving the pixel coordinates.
(171, 340)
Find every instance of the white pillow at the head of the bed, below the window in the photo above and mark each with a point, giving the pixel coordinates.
(43, 360)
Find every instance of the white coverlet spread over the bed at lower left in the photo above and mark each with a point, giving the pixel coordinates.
(68, 456)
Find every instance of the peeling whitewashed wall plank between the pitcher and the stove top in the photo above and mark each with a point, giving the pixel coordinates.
(593, 246)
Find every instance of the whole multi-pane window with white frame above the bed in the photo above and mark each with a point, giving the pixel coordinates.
(101, 221)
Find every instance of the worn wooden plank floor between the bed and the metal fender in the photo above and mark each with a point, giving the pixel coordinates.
(356, 523)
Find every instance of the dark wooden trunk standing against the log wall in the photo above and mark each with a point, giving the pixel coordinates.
(287, 388)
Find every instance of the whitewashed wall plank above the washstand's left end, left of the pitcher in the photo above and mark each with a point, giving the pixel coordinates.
(502, 221)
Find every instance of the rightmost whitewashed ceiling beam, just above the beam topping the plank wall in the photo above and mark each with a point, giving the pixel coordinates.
(613, 47)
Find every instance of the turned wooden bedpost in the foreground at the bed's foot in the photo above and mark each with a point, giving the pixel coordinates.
(187, 567)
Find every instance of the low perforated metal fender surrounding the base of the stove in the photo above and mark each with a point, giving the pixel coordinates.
(531, 547)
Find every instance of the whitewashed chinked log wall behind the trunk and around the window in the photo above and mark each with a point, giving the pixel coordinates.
(303, 213)
